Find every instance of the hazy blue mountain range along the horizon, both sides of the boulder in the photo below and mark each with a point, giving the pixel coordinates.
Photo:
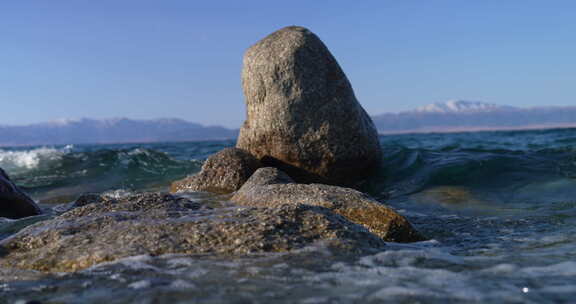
(451, 116)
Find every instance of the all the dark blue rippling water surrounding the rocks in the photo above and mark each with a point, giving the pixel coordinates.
(499, 209)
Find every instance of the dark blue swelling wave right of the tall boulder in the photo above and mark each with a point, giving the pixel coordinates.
(501, 176)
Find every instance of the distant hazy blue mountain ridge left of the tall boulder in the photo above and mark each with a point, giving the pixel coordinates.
(118, 130)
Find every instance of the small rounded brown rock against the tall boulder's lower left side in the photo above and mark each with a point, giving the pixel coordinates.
(223, 172)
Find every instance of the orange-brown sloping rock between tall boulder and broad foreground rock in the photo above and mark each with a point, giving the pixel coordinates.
(269, 187)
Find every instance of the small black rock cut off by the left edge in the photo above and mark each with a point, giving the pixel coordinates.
(14, 203)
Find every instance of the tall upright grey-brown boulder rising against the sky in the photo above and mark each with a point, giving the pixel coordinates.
(302, 115)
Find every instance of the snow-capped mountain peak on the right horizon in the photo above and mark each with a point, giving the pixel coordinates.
(460, 106)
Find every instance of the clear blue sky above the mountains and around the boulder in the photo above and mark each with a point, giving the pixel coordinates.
(182, 58)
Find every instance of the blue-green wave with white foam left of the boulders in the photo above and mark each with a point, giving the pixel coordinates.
(57, 175)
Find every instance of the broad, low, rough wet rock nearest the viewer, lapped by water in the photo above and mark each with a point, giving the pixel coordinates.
(154, 223)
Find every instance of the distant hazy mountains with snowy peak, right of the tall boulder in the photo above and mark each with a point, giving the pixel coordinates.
(460, 115)
